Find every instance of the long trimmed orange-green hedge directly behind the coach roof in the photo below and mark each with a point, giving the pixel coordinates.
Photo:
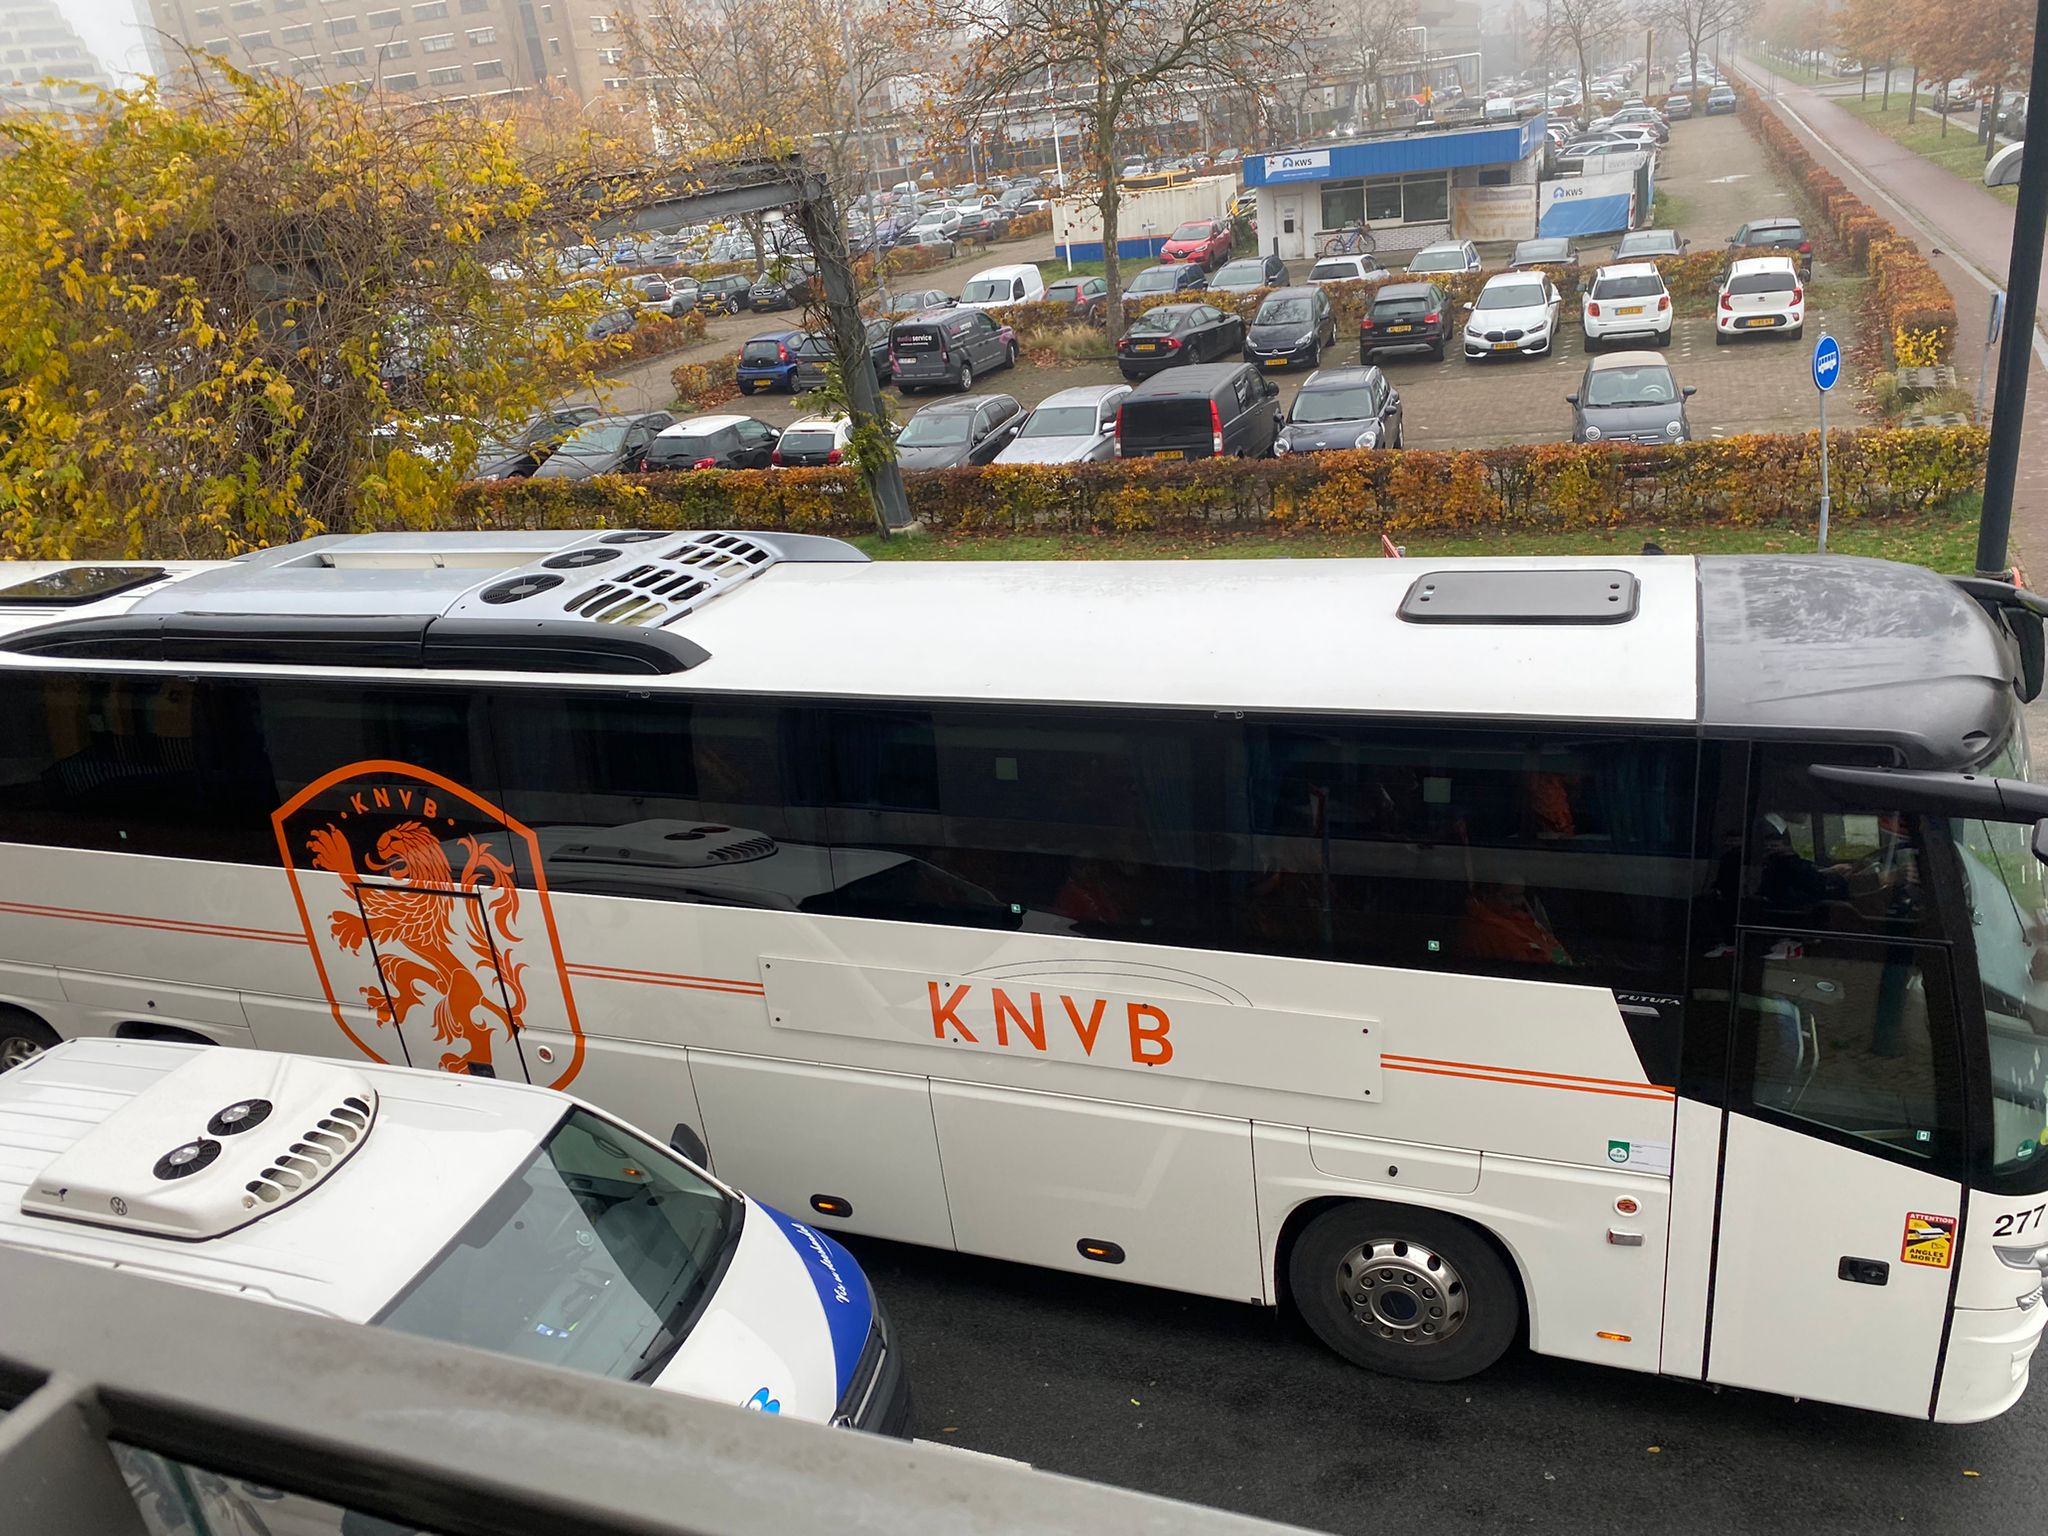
(1553, 486)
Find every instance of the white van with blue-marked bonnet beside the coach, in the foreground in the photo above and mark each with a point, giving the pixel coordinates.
(470, 1209)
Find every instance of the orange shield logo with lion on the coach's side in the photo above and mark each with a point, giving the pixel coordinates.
(407, 888)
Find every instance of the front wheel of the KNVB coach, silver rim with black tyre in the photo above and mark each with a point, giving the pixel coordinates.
(1410, 1293)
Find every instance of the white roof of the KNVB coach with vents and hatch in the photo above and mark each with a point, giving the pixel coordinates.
(1740, 644)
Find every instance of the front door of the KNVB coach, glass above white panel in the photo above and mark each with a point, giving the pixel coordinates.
(1844, 1150)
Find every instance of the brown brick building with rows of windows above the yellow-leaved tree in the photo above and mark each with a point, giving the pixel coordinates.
(439, 50)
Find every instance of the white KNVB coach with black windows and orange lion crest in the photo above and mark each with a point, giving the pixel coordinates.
(1639, 955)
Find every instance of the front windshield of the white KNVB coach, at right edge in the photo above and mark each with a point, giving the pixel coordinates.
(2008, 892)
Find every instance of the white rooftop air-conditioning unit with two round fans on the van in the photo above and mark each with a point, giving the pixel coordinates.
(212, 1146)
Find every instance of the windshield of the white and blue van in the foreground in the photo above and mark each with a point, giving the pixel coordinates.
(597, 1256)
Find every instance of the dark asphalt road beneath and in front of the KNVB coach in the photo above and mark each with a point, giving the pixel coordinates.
(1240, 1408)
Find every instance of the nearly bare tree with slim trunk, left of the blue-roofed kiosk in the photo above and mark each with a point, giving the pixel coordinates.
(1134, 65)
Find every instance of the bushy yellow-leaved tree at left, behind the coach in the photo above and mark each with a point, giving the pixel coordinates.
(257, 312)
